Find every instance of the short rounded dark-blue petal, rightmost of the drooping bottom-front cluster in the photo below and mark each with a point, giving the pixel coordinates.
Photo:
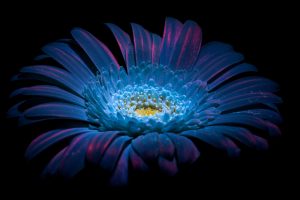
(185, 149)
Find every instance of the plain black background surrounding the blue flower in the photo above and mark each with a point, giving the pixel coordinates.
(263, 33)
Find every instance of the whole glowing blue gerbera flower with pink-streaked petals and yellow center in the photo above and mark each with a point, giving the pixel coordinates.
(171, 92)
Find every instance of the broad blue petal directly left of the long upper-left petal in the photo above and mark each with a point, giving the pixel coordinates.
(71, 61)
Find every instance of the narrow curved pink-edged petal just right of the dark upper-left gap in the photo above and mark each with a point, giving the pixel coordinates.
(125, 44)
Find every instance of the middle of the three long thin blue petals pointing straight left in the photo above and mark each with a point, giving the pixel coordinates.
(49, 91)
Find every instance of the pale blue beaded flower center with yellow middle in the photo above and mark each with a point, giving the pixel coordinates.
(147, 102)
